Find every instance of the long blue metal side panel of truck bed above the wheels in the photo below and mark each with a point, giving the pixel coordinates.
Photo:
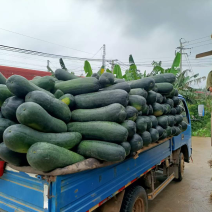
(82, 191)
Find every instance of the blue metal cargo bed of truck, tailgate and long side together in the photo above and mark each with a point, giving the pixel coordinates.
(78, 192)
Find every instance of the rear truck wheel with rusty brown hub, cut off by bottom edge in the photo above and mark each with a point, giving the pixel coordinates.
(135, 200)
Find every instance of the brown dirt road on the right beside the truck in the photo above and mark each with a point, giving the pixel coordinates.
(192, 194)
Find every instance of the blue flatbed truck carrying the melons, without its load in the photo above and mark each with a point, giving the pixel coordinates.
(124, 186)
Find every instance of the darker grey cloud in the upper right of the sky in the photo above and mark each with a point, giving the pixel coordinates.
(140, 18)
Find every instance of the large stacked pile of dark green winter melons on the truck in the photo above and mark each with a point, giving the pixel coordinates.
(54, 121)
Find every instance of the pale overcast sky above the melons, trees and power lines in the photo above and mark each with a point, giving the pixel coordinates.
(149, 30)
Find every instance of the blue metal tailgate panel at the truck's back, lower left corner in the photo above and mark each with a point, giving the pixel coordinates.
(20, 192)
